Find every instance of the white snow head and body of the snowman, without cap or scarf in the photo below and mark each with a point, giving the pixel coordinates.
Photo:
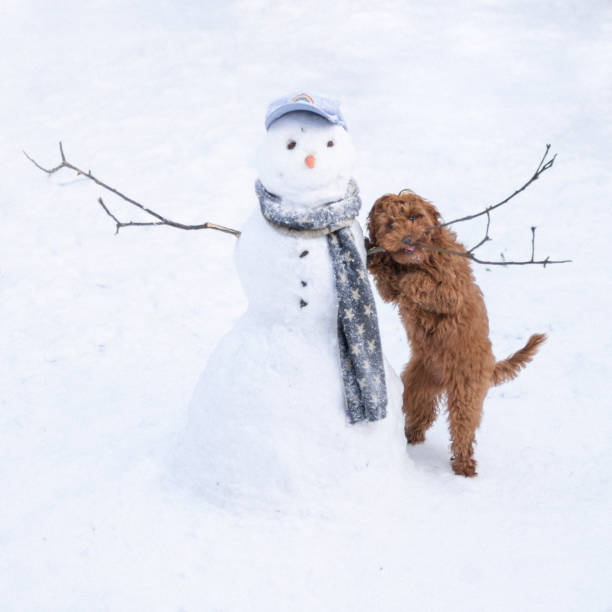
(267, 418)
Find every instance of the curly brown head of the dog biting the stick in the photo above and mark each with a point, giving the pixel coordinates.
(399, 223)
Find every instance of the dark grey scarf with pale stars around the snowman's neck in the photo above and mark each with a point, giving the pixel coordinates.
(361, 356)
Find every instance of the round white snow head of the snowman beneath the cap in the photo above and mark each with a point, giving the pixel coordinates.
(305, 159)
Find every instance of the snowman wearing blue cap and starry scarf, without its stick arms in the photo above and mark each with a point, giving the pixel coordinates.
(298, 394)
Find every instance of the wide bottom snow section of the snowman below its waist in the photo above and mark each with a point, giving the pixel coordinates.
(270, 446)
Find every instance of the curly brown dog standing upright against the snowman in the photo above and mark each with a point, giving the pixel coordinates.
(444, 314)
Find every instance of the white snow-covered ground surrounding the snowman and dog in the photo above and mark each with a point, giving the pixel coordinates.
(104, 336)
